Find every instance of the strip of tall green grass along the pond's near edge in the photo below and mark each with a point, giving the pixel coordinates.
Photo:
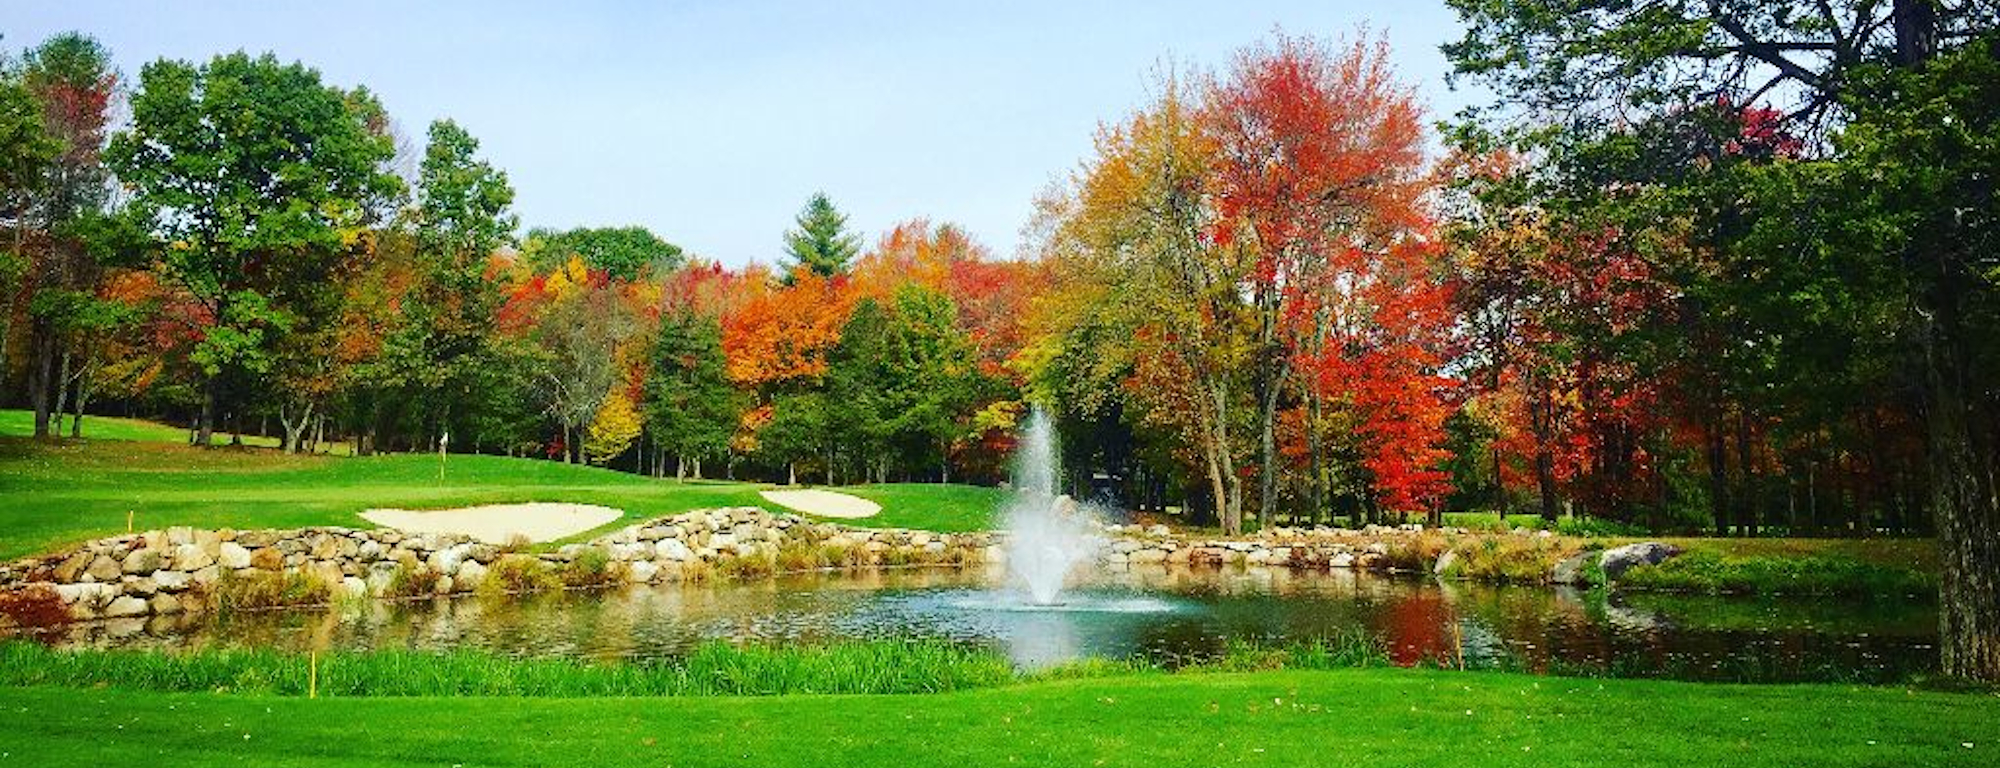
(883, 667)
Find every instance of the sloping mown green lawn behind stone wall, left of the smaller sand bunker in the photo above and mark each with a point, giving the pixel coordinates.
(73, 491)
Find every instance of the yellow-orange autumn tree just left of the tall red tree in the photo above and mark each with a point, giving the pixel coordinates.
(1151, 285)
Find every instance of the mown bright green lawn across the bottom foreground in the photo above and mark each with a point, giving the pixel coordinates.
(1265, 719)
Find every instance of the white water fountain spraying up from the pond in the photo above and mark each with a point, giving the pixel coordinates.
(1049, 533)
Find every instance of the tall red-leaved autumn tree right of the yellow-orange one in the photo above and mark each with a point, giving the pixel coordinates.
(1319, 171)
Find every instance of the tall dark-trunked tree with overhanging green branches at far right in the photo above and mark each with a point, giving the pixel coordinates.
(1599, 69)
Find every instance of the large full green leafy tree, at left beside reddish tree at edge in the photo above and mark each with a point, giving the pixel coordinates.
(255, 179)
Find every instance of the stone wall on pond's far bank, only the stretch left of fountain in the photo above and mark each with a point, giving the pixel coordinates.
(177, 571)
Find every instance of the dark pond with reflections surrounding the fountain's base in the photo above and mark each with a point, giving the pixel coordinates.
(1161, 615)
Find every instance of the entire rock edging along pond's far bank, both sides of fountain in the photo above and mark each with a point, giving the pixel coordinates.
(185, 571)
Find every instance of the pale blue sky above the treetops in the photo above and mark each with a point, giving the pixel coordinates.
(711, 123)
